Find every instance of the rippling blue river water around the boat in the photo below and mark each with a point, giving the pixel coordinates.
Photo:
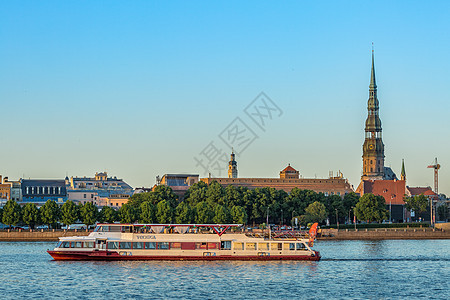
(394, 269)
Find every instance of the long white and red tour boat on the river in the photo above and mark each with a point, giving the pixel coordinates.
(185, 242)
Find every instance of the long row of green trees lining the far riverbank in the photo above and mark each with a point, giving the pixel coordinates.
(212, 203)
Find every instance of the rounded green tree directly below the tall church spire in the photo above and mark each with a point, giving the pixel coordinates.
(371, 208)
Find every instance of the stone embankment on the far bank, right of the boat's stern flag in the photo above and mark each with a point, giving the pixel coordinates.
(385, 234)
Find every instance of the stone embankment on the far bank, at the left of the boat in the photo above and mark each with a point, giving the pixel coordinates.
(37, 235)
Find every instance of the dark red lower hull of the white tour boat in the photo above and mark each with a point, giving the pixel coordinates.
(110, 255)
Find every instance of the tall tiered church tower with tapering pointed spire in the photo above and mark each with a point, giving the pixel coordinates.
(373, 148)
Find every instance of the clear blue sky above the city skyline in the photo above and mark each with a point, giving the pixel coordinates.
(141, 88)
